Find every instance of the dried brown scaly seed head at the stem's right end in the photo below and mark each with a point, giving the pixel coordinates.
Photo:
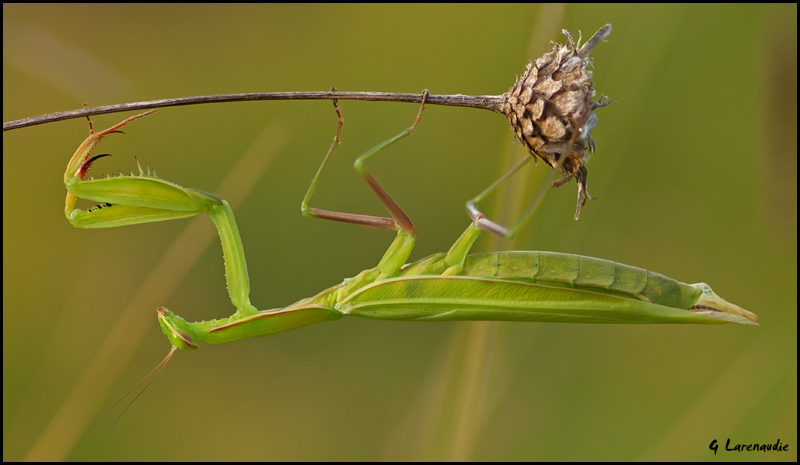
(551, 110)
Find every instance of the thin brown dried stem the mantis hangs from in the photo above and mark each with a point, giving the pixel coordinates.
(487, 102)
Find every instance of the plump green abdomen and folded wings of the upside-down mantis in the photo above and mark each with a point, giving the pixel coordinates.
(536, 286)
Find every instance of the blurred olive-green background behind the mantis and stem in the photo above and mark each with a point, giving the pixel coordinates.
(695, 175)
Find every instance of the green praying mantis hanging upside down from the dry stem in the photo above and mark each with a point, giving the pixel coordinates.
(452, 286)
